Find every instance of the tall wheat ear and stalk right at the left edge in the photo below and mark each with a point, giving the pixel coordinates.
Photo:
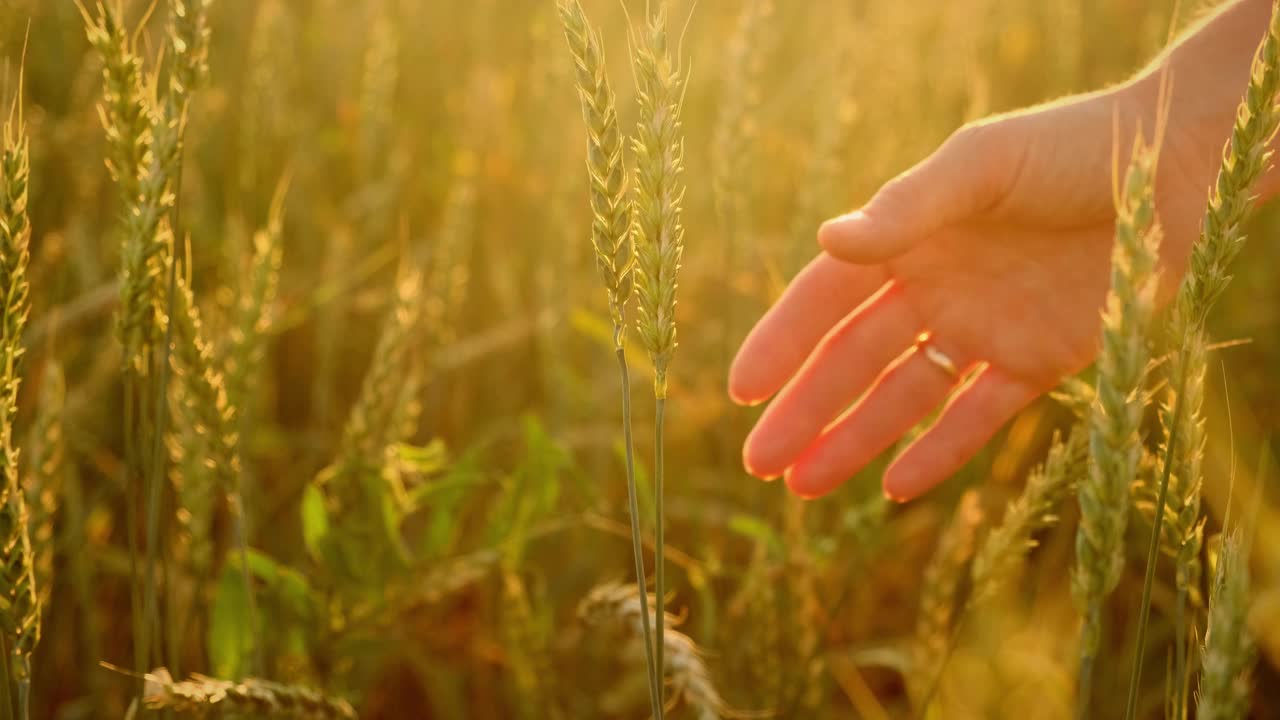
(20, 618)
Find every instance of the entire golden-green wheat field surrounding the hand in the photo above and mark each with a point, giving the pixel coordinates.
(358, 356)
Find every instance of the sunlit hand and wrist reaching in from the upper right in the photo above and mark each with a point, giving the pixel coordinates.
(999, 247)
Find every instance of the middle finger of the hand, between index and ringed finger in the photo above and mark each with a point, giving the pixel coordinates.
(834, 376)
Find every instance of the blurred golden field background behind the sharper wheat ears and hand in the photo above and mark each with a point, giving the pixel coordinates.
(404, 126)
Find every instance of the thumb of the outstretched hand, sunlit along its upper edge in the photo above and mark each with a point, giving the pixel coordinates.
(957, 181)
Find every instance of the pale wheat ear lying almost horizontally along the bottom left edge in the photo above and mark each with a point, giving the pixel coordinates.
(209, 698)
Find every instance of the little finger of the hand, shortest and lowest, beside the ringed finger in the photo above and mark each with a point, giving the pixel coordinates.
(973, 416)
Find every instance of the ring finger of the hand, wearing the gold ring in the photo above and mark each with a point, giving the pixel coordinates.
(904, 395)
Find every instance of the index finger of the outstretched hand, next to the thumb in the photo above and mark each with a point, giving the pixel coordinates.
(815, 302)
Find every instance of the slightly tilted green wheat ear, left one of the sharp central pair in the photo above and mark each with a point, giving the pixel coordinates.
(611, 231)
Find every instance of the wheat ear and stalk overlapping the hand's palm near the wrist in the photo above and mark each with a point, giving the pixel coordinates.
(1116, 440)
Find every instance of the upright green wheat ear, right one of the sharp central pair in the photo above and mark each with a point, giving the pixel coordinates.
(660, 238)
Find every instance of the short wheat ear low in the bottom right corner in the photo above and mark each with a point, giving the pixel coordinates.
(1229, 651)
